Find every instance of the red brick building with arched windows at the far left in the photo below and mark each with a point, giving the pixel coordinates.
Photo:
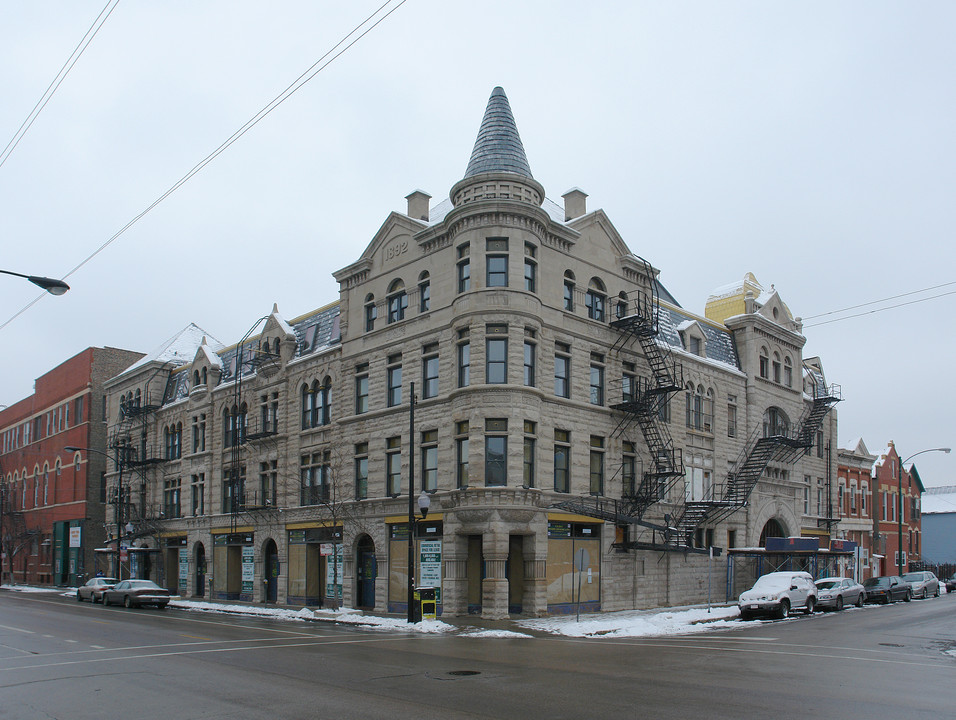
(52, 502)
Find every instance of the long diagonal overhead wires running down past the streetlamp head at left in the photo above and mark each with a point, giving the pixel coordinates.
(343, 45)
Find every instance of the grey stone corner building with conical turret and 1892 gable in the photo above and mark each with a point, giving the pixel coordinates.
(532, 375)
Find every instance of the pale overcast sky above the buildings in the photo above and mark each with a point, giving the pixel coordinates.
(810, 143)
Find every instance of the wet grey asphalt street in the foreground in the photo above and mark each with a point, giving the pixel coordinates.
(60, 659)
